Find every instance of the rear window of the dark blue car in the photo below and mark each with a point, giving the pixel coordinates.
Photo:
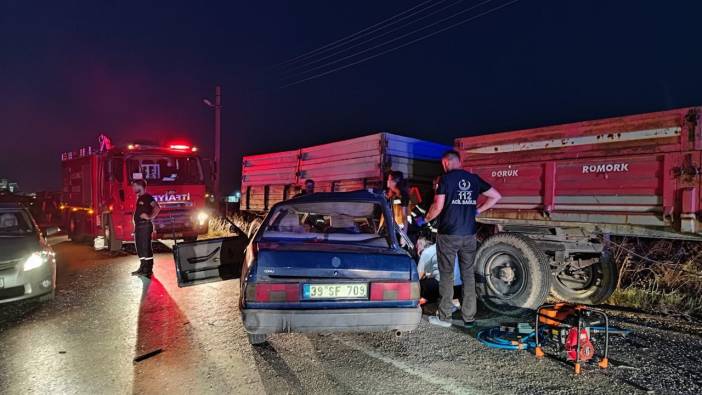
(356, 223)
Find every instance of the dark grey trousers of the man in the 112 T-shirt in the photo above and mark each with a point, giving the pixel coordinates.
(447, 247)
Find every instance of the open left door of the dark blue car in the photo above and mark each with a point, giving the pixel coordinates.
(209, 260)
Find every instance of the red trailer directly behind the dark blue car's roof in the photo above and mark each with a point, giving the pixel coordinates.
(348, 165)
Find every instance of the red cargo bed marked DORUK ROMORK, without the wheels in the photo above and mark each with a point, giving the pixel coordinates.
(633, 175)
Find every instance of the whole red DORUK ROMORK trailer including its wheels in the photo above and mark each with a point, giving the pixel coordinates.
(567, 188)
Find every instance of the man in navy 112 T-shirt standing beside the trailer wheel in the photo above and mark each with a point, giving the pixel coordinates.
(456, 206)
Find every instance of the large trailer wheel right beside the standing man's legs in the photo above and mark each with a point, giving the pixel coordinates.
(512, 274)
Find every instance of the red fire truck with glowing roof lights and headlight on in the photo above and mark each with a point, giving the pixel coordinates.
(97, 199)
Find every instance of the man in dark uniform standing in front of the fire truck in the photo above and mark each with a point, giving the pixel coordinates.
(145, 211)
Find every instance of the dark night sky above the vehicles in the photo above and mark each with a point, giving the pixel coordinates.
(70, 70)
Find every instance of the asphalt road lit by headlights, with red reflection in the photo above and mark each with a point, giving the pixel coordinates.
(86, 341)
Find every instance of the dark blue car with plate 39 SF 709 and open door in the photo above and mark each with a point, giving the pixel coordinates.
(318, 263)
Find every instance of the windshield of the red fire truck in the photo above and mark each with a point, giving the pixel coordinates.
(166, 170)
